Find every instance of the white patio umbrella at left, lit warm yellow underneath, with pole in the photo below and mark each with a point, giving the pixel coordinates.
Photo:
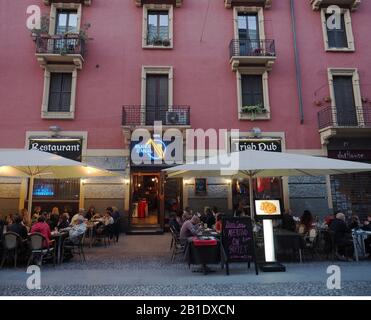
(36, 164)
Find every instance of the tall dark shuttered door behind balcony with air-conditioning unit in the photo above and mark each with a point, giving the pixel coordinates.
(157, 98)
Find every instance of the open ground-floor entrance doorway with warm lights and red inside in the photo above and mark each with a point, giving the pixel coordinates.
(145, 208)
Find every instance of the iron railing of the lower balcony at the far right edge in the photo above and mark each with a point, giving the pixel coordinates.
(360, 117)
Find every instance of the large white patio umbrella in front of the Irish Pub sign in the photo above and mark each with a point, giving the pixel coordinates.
(254, 164)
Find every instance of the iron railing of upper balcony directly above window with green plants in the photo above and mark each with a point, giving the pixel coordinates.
(252, 48)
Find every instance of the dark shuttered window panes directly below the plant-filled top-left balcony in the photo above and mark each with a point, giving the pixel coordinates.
(60, 92)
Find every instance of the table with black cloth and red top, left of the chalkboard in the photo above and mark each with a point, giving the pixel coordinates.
(199, 253)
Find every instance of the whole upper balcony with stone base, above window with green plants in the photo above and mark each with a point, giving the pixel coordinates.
(252, 52)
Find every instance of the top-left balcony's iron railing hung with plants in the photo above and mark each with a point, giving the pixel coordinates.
(60, 45)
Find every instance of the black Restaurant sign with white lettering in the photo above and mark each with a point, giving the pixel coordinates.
(67, 148)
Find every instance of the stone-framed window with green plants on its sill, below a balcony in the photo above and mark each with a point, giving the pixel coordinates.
(253, 93)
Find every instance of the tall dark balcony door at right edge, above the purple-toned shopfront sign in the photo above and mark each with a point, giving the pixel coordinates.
(344, 101)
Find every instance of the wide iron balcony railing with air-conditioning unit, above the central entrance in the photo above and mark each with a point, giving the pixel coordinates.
(136, 115)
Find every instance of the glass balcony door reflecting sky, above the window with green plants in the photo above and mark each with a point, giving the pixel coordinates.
(248, 33)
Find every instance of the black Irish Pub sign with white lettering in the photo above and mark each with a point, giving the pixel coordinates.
(243, 144)
